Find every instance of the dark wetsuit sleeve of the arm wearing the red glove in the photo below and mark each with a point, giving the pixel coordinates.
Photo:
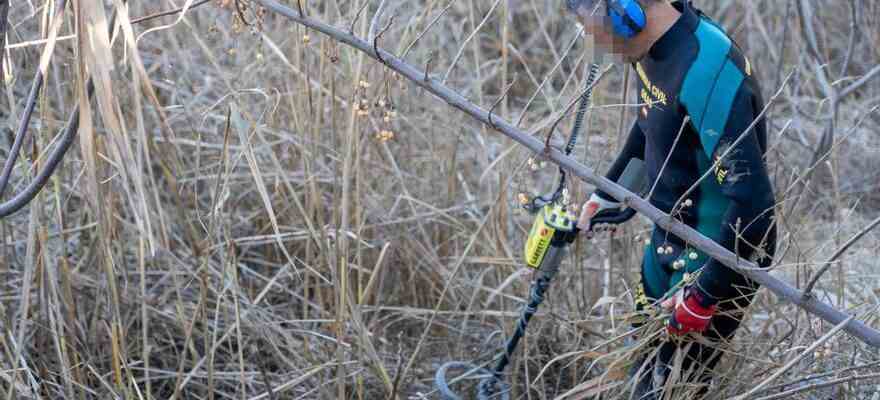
(740, 171)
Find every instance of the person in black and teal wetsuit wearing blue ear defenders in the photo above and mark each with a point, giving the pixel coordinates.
(699, 100)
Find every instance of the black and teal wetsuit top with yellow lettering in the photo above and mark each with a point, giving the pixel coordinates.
(695, 80)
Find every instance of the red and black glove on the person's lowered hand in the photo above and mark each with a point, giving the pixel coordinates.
(692, 311)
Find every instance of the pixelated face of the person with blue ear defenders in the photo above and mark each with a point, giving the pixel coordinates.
(593, 16)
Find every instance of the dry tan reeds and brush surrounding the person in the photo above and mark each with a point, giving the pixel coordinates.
(253, 210)
